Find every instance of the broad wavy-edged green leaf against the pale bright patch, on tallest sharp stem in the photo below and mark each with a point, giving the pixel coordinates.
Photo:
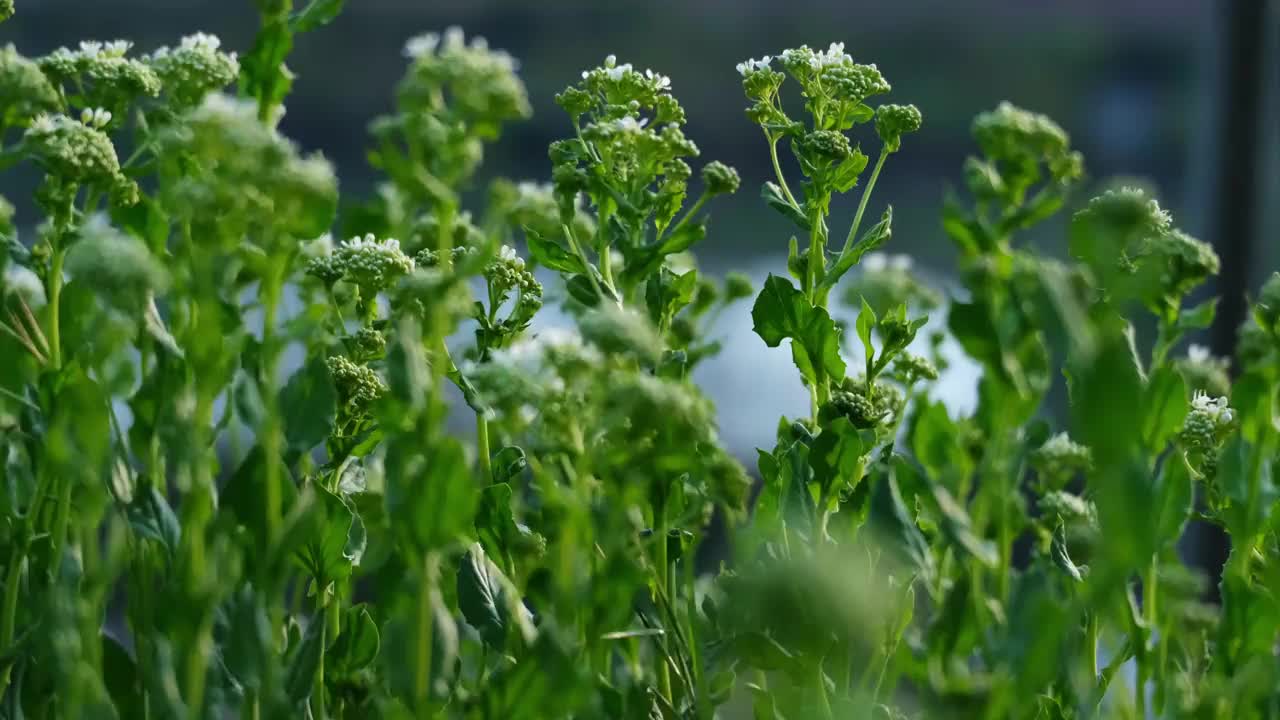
(781, 312)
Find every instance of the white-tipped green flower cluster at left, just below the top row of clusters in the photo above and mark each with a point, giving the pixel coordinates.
(77, 153)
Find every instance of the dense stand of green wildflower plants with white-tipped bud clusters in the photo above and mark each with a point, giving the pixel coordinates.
(193, 527)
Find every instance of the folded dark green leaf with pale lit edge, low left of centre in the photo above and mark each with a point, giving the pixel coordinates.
(490, 601)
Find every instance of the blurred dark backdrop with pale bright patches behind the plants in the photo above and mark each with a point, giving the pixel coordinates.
(1178, 94)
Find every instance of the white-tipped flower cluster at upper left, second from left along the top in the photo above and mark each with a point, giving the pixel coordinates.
(102, 75)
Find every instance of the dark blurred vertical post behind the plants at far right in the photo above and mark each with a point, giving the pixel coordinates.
(1236, 189)
